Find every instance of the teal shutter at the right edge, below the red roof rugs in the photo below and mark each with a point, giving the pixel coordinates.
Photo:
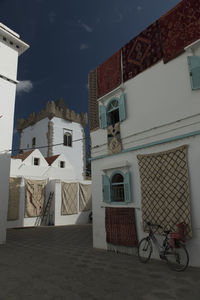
(194, 68)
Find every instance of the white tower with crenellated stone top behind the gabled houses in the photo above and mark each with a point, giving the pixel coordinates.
(60, 130)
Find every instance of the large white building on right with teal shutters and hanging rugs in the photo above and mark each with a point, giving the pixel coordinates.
(150, 114)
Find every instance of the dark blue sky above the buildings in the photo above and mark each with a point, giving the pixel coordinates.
(68, 39)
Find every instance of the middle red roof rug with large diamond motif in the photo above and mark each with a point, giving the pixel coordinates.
(142, 52)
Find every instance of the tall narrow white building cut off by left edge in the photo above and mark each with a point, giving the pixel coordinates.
(11, 46)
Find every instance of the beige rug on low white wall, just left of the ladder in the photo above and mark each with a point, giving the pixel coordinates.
(35, 197)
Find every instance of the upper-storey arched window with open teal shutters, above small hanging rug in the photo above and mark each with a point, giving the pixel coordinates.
(114, 112)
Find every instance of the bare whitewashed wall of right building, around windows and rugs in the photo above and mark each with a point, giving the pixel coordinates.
(160, 107)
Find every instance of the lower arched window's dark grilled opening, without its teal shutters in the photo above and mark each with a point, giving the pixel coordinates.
(117, 188)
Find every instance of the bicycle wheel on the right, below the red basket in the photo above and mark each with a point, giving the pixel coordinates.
(177, 257)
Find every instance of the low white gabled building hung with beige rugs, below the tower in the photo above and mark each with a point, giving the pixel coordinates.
(33, 177)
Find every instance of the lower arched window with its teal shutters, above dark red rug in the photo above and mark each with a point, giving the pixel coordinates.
(117, 188)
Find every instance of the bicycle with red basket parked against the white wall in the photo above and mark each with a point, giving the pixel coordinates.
(172, 250)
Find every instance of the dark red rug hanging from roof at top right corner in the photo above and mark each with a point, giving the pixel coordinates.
(179, 28)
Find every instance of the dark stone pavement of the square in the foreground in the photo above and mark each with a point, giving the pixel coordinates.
(60, 263)
